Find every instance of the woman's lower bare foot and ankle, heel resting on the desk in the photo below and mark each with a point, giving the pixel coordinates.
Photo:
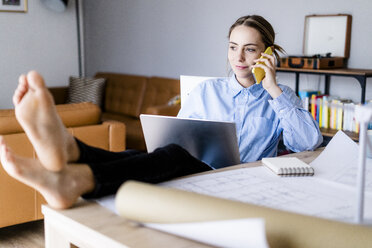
(60, 189)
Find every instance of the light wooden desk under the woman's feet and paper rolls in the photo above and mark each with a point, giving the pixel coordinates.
(89, 225)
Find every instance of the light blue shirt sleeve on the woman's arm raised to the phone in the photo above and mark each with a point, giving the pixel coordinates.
(300, 130)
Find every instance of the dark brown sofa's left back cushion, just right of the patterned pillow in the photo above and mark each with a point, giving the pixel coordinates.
(124, 93)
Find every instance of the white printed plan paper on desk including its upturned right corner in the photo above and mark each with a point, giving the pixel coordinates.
(330, 193)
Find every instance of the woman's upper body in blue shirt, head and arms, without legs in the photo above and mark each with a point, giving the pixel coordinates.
(262, 112)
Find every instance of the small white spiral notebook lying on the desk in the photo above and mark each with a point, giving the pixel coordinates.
(288, 166)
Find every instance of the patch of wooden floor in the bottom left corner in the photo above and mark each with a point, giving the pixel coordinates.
(28, 235)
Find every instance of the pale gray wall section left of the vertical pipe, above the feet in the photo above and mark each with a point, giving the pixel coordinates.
(39, 39)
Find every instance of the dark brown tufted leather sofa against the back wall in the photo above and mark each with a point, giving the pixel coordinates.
(128, 96)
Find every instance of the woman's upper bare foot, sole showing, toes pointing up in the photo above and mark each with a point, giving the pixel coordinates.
(36, 112)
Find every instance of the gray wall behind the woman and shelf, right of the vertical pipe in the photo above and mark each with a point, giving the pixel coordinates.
(189, 37)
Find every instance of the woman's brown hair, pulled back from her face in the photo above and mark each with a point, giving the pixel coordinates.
(263, 27)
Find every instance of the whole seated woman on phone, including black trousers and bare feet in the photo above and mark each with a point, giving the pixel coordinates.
(67, 168)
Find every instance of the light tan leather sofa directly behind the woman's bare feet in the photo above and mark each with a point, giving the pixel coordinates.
(20, 203)
